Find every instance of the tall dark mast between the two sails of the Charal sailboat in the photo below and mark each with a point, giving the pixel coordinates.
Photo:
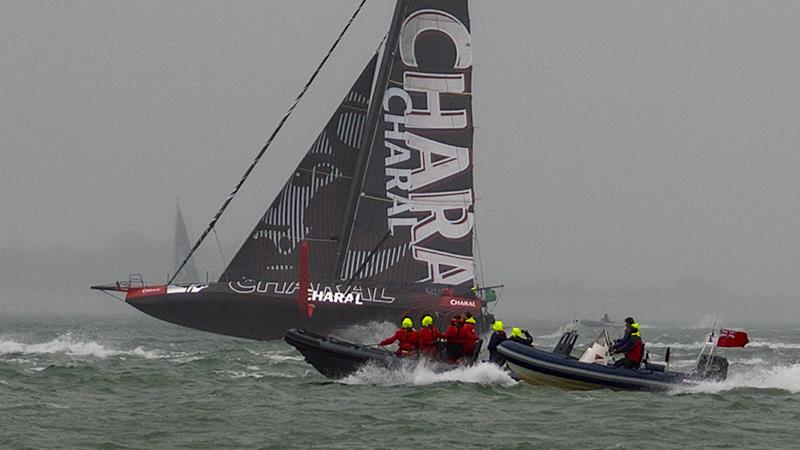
(370, 128)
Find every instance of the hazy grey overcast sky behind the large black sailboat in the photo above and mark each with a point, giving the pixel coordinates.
(625, 151)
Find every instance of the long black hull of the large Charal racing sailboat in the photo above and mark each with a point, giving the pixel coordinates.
(268, 317)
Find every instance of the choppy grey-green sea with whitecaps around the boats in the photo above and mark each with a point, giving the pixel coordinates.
(140, 383)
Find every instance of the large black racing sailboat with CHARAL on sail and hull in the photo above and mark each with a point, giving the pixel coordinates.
(376, 222)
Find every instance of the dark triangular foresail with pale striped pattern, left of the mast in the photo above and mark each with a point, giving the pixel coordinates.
(310, 204)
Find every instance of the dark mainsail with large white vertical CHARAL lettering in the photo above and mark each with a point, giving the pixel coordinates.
(418, 184)
